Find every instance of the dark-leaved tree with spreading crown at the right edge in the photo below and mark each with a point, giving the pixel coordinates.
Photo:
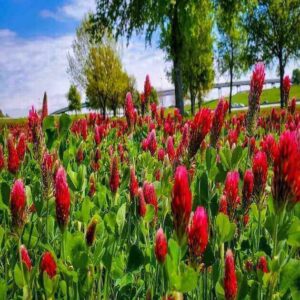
(273, 28)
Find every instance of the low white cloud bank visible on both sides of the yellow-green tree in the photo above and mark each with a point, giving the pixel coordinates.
(28, 67)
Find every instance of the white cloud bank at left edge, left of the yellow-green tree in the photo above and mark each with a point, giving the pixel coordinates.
(30, 67)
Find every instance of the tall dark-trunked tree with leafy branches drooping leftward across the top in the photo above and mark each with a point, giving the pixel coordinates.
(124, 17)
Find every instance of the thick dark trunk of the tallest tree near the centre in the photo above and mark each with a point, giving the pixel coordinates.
(175, 51)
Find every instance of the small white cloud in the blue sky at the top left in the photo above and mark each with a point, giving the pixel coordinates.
(74, 9)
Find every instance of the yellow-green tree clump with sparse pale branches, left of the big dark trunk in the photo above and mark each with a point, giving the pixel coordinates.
(96, 68)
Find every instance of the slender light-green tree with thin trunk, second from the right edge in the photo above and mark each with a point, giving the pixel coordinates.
(231, 38)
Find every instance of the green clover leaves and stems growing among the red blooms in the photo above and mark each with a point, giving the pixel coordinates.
(120, 262)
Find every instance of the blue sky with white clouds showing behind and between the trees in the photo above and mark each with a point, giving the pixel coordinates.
(35, 38)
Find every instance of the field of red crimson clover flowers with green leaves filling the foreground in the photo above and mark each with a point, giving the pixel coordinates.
(152, 206)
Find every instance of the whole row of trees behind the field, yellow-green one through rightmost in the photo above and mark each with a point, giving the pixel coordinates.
(196, 35)
